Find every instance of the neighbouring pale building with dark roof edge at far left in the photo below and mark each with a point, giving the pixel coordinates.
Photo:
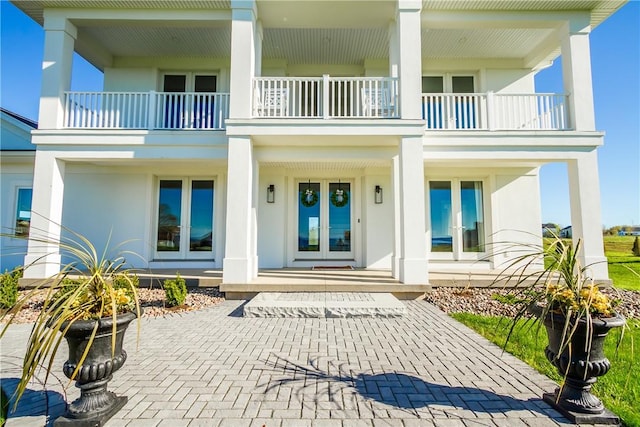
(17, 155)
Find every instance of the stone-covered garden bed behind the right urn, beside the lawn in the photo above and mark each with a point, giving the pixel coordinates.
(481, 301)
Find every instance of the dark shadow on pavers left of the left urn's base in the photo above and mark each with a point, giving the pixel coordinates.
(33, 403)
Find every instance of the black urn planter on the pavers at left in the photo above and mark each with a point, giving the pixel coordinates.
(95, 405)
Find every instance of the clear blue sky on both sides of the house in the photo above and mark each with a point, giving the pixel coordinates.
(615, 56)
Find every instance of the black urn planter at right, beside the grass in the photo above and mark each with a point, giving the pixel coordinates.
(580, 366)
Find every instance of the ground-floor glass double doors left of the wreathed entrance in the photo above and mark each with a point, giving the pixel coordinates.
(185, 219)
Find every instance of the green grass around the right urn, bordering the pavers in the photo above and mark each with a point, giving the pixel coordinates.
(619, 389)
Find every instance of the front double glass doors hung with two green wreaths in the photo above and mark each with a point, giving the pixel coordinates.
(324, 219)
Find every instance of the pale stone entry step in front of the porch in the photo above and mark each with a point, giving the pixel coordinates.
(324, 304)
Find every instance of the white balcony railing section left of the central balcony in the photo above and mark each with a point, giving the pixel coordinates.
(146, 110)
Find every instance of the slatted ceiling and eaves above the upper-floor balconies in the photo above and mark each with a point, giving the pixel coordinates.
(309, 31)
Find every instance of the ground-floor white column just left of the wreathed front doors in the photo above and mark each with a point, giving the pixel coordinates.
(240, 247)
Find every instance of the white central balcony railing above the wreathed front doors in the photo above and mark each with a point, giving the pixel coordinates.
(325, 97)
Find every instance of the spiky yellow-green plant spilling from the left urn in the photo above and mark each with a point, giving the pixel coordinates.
(92, 285)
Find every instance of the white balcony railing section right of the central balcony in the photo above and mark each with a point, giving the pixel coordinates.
(494, 111)
